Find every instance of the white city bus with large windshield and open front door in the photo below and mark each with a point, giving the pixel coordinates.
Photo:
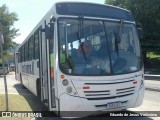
(49, 64)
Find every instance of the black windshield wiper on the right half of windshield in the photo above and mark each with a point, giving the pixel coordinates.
(118, 36)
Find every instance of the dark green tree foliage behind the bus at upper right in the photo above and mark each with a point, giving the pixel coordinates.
(147, 13)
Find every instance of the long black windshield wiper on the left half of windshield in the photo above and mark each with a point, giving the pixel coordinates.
(79, 35)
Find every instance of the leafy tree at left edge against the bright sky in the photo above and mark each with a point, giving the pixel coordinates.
(7, 20)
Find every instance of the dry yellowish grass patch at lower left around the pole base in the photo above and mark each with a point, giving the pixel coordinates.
(19, 103)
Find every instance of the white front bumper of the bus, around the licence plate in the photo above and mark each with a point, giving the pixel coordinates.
(71, 106)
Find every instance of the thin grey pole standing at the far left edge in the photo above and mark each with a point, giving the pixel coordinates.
(5, 81)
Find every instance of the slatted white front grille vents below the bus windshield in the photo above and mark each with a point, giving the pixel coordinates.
(109, 90)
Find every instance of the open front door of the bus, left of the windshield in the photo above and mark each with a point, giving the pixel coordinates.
(47, 71)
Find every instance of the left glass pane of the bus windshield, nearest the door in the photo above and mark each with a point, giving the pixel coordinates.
(75, 62)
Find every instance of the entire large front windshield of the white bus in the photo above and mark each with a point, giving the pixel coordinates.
(96, 47)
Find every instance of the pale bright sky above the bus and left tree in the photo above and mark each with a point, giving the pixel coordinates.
(30, 12)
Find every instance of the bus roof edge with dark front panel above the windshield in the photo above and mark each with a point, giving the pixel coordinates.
(86, 9)
